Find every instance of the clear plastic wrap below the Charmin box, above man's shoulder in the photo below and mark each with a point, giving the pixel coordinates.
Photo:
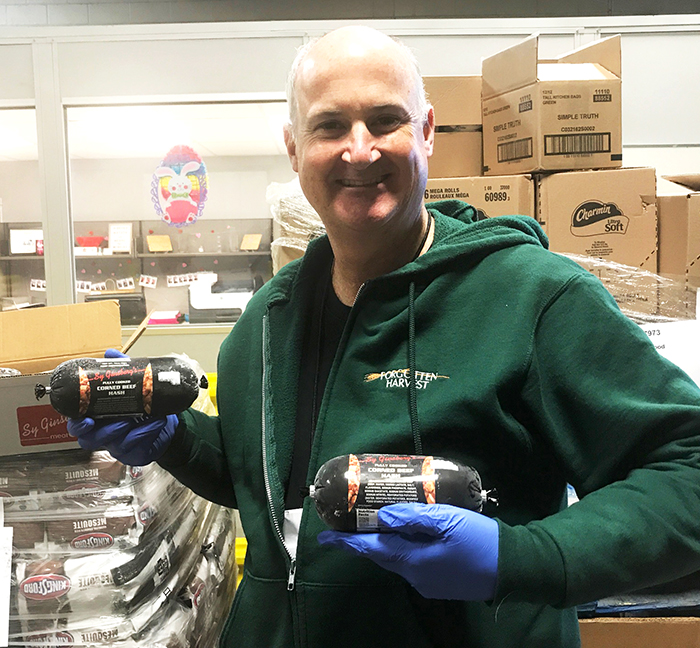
(645, 297)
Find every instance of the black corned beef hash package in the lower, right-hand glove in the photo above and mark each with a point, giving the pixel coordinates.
(350, 489)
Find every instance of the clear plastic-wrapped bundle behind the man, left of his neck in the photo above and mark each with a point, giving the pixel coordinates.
(297, 222)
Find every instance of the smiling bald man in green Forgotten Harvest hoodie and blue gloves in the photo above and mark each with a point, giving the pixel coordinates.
(527, 371)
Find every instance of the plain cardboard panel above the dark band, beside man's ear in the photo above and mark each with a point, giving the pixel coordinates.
(456, 99)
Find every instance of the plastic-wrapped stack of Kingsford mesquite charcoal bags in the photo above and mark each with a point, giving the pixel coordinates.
(108, 555)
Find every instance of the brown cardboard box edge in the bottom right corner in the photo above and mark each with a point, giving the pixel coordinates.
(640, 632)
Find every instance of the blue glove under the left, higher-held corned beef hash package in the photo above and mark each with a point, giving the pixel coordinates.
(135, 440)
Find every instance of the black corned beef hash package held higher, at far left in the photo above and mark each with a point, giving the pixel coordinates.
(105, 387)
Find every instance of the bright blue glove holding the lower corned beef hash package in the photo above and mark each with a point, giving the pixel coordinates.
(444, 551)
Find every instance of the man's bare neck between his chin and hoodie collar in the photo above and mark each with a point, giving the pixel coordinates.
(356, 262)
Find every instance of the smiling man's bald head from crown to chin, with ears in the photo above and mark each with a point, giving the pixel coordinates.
(360, 144)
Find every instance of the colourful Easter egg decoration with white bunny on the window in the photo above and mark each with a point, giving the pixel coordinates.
(179, 187)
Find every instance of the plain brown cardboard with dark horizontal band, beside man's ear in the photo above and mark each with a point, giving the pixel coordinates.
(458, 137)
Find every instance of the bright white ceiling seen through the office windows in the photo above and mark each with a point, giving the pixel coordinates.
(102, 132)
